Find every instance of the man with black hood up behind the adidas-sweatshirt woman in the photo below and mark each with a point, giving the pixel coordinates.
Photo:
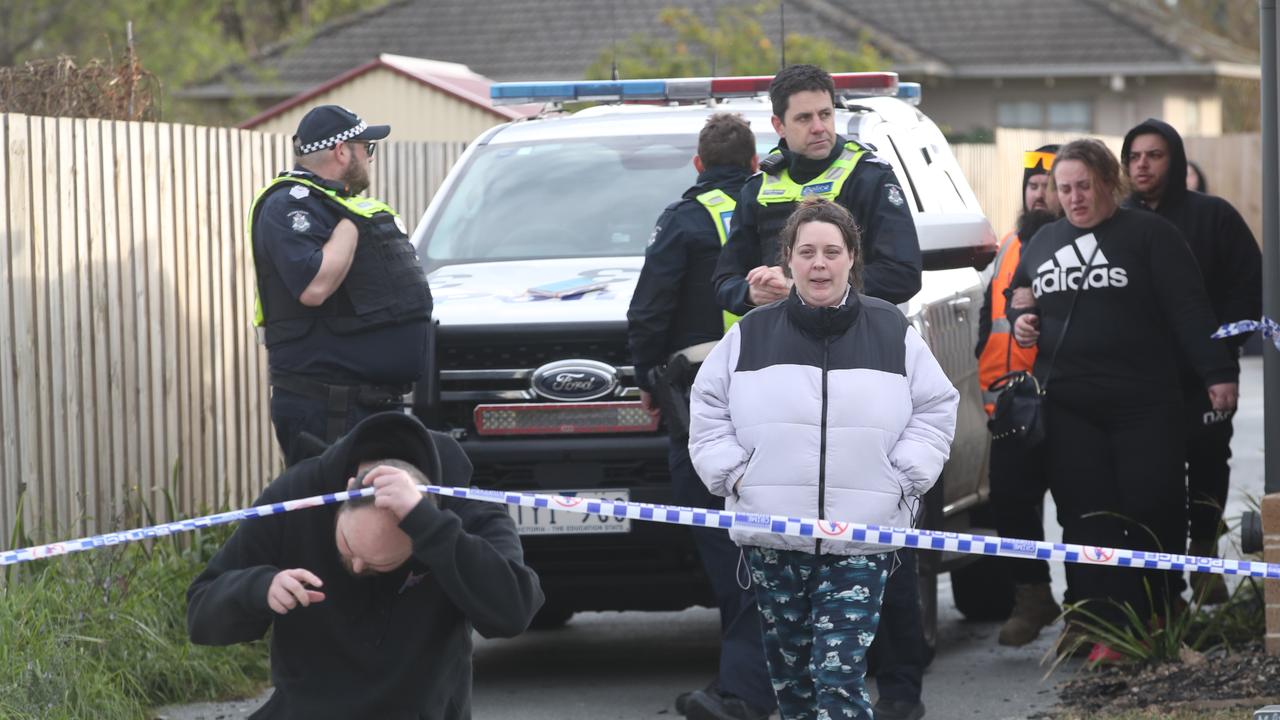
(1231, 263)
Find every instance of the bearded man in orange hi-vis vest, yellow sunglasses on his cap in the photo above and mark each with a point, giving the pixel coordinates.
(1018, 482)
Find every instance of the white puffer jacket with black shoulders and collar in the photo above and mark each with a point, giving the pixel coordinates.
(831, 413)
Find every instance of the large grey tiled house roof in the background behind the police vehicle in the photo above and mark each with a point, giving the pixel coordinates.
(559, 39)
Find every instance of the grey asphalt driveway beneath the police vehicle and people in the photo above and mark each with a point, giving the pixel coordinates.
(632, 666)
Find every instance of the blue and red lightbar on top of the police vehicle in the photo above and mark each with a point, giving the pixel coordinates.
(860, 85)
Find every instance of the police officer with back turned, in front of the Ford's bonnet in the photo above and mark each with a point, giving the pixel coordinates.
(673, 323)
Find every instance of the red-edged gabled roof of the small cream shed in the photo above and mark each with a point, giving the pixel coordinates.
(451, 79)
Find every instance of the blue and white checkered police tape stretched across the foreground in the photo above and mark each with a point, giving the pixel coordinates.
(702, 518)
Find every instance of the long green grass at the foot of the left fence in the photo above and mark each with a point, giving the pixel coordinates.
(103, 635)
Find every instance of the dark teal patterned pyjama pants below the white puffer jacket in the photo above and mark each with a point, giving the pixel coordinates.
(820, 616)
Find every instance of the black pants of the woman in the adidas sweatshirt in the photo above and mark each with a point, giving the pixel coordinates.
(1117, 476)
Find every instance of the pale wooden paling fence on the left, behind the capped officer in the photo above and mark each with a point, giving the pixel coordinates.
(130, 376)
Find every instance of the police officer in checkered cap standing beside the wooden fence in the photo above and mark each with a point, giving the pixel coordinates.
(344, 306)
